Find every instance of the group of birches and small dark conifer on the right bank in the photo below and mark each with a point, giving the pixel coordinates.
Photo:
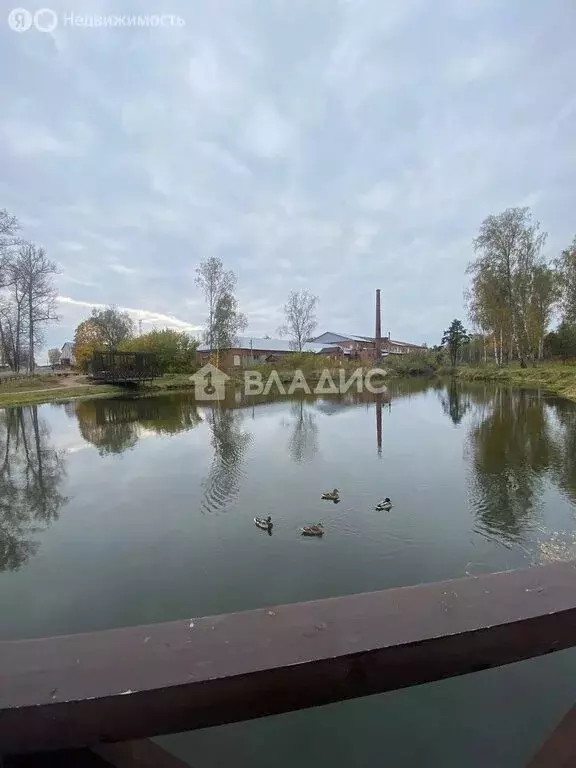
(514, 294)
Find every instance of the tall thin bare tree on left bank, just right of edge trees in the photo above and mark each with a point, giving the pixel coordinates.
(35, 274)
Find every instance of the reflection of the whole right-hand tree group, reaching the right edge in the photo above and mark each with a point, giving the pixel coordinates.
(516, 441)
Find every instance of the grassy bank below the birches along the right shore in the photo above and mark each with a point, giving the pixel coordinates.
(555, 377)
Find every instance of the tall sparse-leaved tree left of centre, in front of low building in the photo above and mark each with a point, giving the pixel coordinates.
(224, 320)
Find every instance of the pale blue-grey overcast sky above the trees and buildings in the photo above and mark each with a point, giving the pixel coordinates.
(338, 146)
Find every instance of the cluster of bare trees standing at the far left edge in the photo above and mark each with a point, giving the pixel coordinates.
(27, 296)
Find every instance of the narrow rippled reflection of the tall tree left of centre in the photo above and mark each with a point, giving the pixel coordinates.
(230, 443)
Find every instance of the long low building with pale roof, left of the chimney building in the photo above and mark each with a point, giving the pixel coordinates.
(253, 351)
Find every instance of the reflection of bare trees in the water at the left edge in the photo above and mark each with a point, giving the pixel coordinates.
(31, 472)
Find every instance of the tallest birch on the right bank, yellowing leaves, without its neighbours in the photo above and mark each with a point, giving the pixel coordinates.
(508, 249)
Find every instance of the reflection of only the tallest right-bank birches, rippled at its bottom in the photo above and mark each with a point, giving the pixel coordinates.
(511, 449)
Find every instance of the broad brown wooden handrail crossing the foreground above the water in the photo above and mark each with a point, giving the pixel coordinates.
(78, 690)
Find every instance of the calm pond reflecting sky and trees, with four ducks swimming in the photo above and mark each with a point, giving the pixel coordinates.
(116, 512)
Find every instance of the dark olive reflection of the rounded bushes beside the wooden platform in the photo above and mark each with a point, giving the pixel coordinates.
(114, 426)
